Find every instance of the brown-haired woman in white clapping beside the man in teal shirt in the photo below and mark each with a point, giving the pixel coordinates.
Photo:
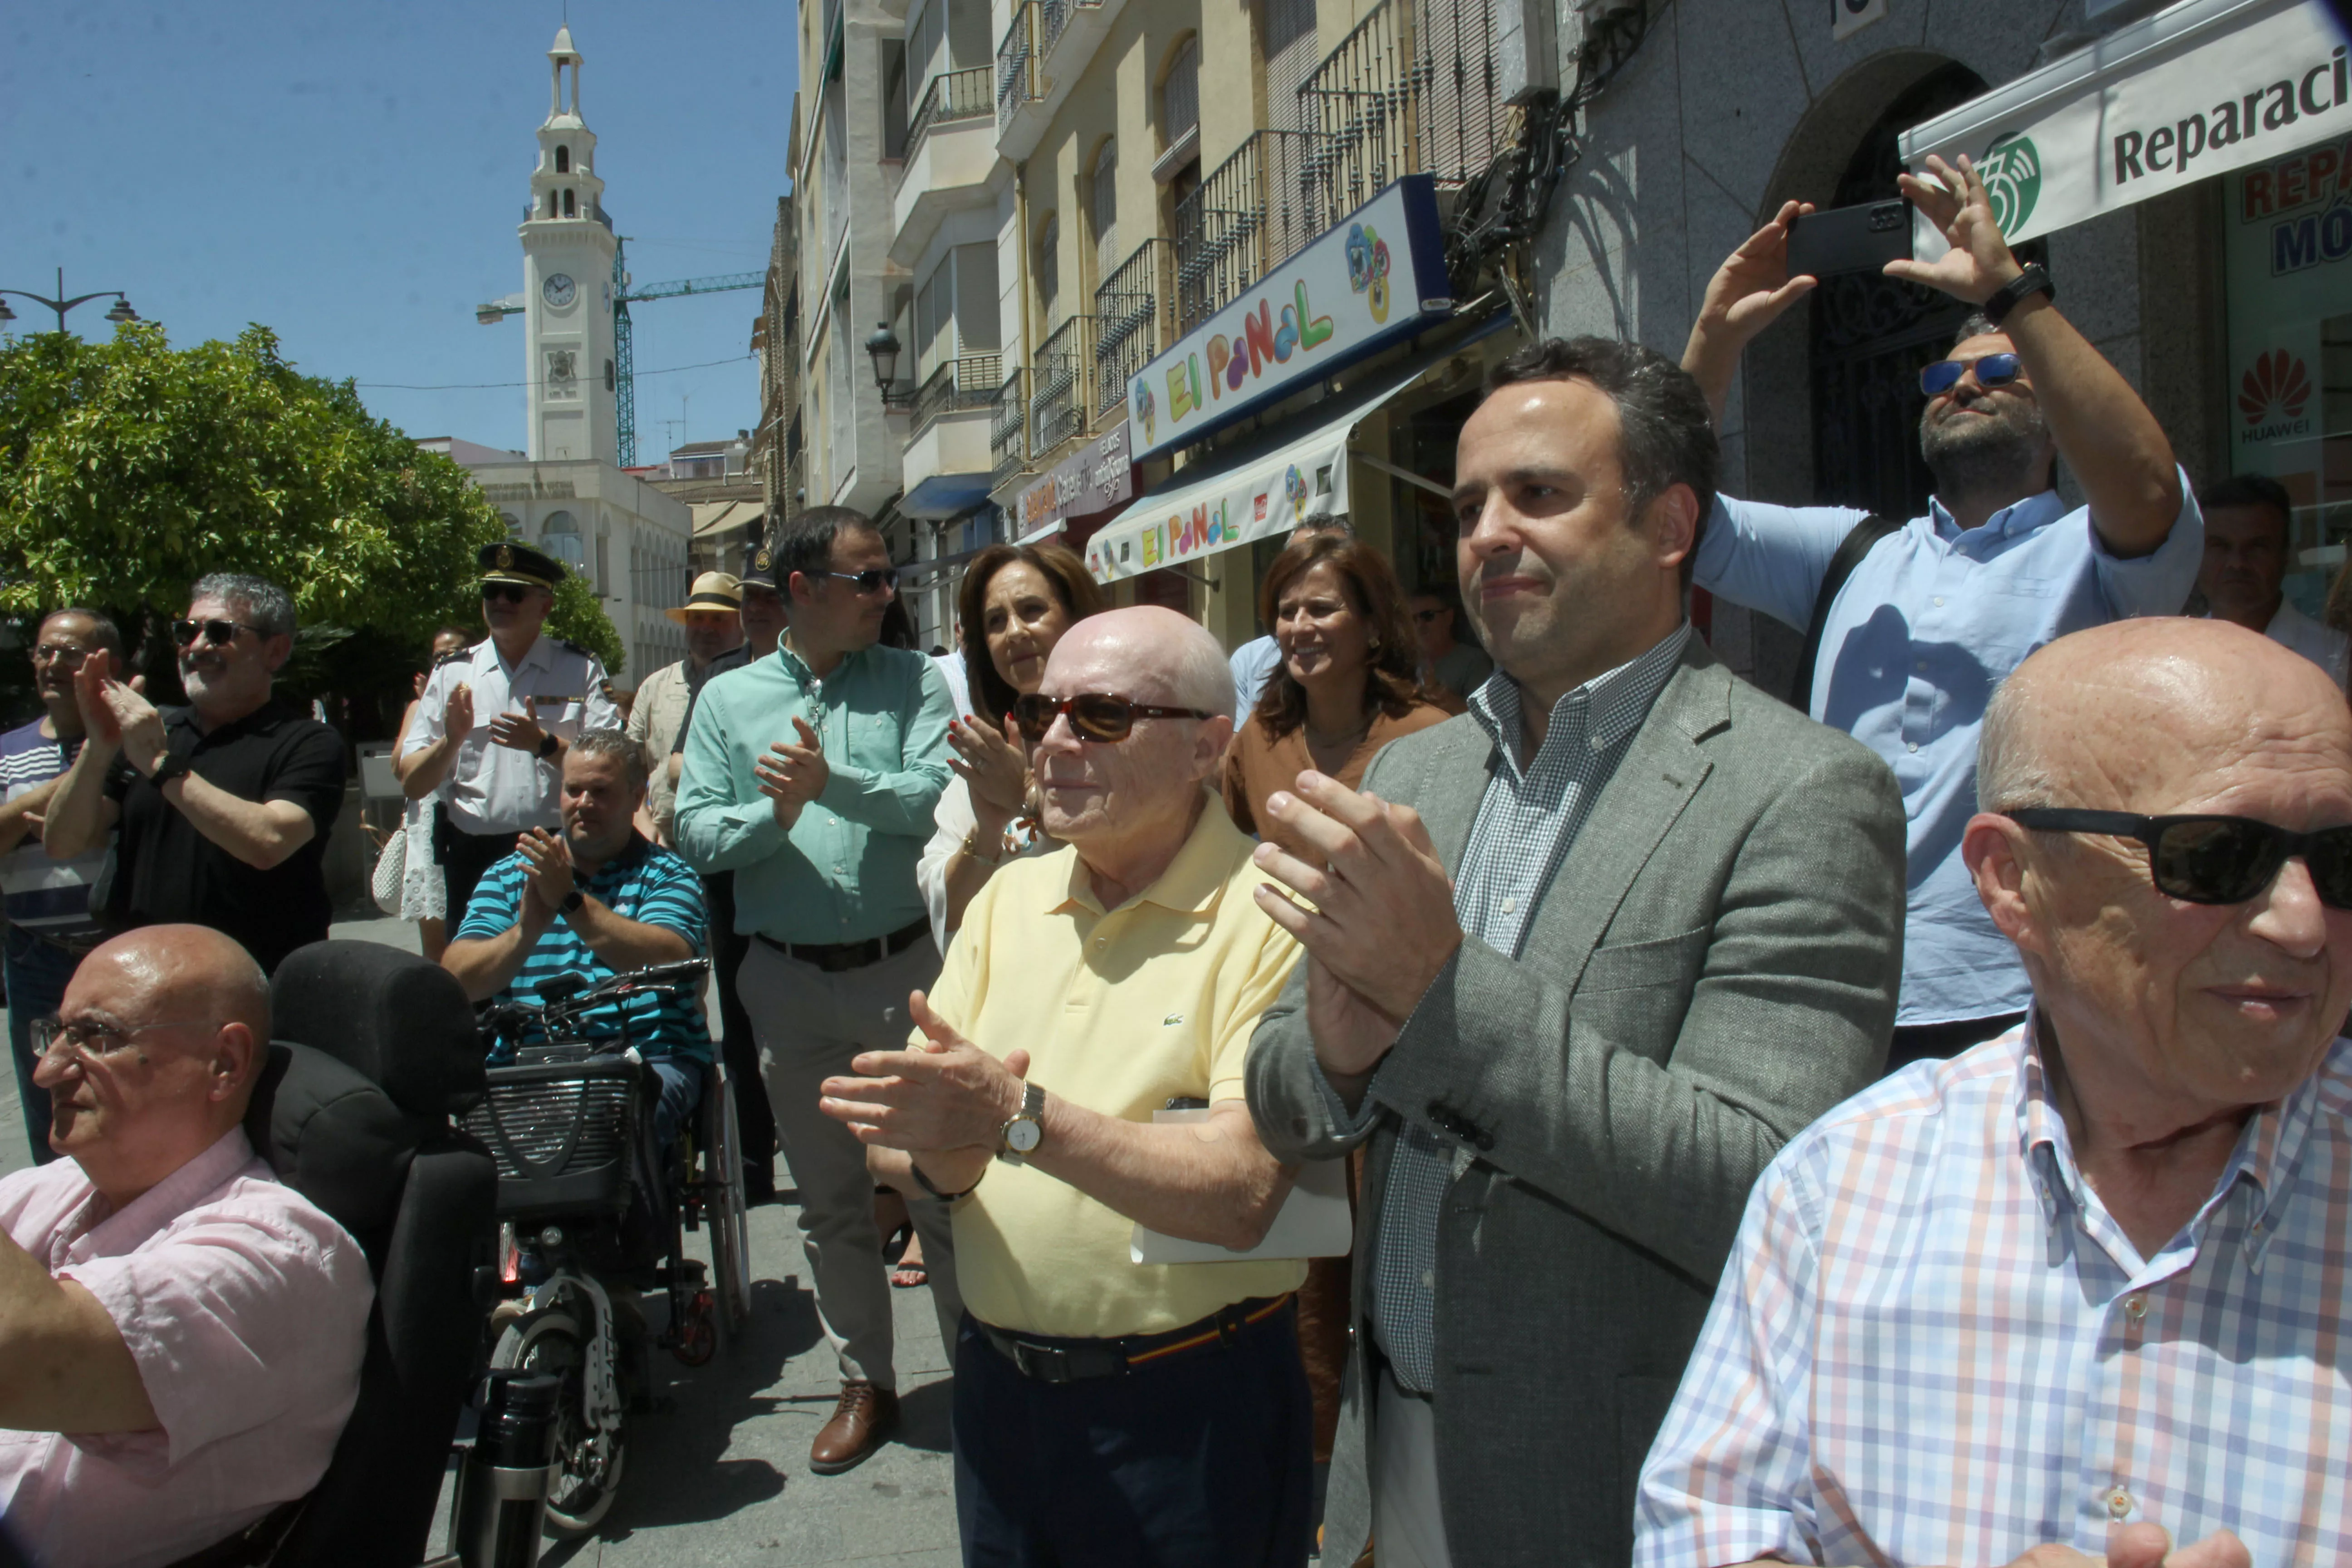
(1015, 605)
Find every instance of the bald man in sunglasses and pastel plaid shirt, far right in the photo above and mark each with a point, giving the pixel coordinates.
(2085, 1285)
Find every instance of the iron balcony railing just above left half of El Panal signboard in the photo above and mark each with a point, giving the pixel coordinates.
(1252, 213)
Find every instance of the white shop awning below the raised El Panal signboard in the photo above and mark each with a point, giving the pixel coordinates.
(1264, 488)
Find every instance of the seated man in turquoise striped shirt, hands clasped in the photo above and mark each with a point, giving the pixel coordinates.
(596, 902)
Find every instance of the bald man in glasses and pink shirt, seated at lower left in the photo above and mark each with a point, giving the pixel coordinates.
(180, 1334)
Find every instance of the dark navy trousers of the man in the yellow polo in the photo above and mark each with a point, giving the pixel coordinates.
(1198, 1461)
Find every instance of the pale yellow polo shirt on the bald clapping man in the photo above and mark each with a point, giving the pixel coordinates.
(1121, 1012)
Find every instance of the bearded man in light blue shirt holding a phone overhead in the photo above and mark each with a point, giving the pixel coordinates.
(1911, 626)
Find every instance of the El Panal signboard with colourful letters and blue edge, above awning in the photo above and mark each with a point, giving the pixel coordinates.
(1372, 279)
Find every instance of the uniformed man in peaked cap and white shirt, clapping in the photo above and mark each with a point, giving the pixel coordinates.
(495, 723)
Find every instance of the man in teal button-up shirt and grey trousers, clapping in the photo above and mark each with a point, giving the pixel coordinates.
(813, 775)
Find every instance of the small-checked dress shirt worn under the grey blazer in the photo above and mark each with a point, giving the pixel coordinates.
(1521, 836)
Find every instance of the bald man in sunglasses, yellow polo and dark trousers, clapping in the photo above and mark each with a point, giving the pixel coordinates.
(1109, 1412)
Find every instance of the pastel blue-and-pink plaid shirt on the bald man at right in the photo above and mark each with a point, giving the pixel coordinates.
(1935, 1346)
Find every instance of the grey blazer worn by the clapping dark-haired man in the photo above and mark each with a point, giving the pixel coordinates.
(1713, 965)
